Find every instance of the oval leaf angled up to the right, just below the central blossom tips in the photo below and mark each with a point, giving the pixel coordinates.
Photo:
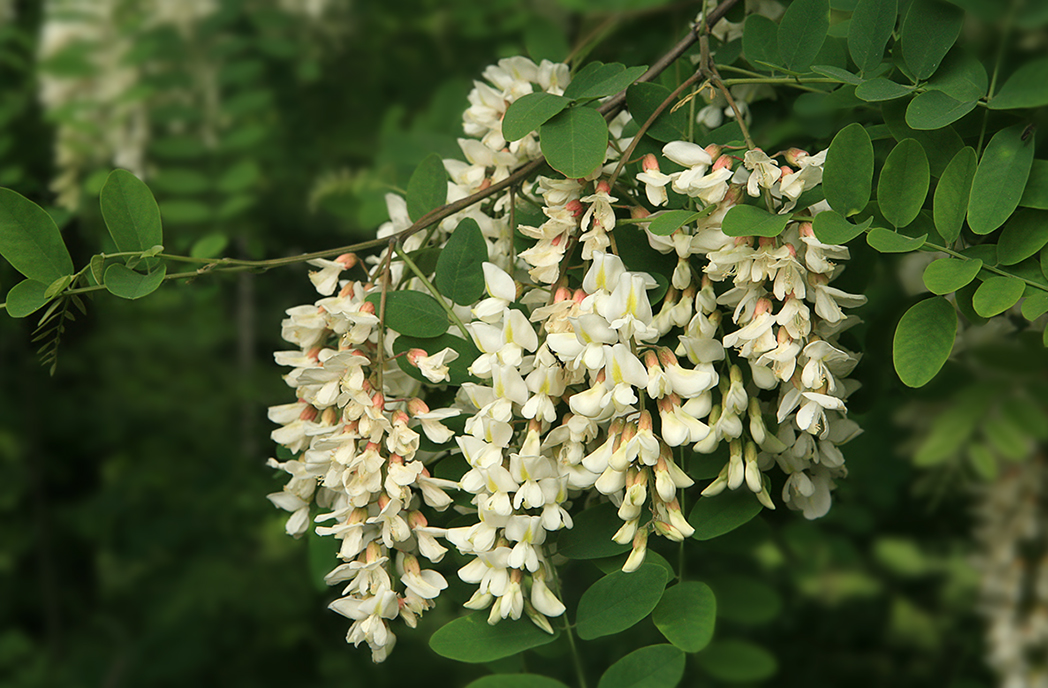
(620, 600)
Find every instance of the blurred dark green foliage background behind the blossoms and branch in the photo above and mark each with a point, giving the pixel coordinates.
(137, 544)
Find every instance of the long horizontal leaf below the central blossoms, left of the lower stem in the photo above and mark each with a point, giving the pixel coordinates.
(472, 639)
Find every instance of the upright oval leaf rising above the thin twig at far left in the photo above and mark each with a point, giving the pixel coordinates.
(130, 212)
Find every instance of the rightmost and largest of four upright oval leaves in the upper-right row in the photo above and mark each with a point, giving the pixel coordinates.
(1000, 180)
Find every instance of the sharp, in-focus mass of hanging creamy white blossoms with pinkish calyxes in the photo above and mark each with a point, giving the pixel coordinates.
(586, 389)
